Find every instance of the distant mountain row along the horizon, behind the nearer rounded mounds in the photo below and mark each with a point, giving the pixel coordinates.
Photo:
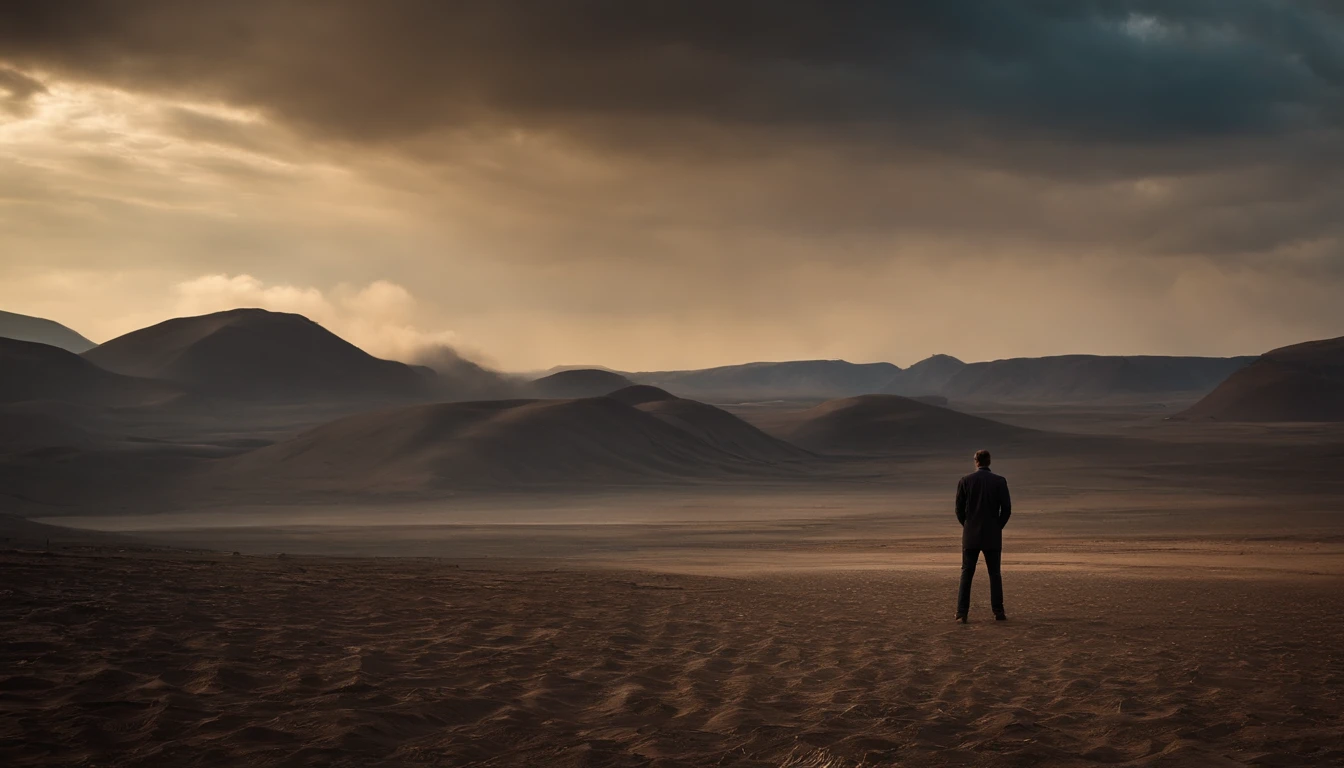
(255, 354)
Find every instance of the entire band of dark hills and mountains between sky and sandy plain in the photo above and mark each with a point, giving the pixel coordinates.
(85, 428)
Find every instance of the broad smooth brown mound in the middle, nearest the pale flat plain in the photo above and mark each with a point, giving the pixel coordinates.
(489, 445)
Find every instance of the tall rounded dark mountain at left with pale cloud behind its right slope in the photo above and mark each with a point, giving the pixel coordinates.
(255, 354)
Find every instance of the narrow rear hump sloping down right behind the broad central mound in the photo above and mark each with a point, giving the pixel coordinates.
(713, 426)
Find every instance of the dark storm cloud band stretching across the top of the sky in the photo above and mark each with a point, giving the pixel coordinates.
(1109, 71)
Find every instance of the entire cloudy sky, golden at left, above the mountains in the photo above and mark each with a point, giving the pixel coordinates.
(670, 185)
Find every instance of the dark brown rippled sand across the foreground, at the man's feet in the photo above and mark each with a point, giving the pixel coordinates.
(142, 658)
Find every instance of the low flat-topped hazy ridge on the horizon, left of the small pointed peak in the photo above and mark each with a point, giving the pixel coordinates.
(775, 381)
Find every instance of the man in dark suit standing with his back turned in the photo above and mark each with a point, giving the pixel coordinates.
(983, 509)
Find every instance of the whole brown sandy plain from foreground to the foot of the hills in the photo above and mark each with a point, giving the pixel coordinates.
(1177, 598)
